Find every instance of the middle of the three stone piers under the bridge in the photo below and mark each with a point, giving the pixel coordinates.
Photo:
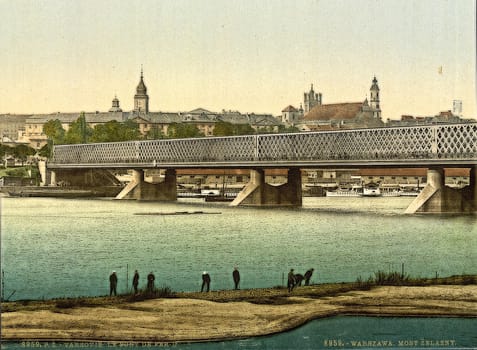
(258, 193)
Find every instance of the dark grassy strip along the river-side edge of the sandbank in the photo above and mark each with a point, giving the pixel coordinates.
(267, 296)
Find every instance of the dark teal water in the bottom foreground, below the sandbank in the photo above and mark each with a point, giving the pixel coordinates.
(336, 333)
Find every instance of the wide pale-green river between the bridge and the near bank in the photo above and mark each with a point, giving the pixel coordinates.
(66, 248)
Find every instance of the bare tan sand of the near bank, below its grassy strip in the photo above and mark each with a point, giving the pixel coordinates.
(186, 319)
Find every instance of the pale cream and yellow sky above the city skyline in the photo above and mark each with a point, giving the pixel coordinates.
(247, 55)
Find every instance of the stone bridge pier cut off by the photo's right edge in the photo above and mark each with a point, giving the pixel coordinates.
(438, 198)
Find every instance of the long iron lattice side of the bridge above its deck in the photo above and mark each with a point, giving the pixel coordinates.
(449, 141)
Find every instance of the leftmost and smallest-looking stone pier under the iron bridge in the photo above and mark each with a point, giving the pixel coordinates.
(142, 190)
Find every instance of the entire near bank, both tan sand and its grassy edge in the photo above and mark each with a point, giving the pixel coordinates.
(168, 316)
